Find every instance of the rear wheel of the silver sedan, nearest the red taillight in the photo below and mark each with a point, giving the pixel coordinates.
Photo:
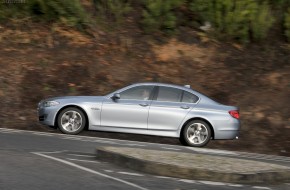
(196, 133)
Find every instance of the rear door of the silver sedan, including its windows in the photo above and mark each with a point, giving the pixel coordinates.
(169, 107)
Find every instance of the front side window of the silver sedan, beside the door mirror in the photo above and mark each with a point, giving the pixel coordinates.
(137, 93)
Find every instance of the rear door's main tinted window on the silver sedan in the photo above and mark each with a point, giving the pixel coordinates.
(169, 94)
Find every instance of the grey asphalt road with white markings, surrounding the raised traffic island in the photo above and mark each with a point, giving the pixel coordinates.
(35, 160)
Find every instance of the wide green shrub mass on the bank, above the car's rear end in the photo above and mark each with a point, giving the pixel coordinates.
(236, 19)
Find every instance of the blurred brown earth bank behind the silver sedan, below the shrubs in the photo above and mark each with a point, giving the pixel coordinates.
(39, 61)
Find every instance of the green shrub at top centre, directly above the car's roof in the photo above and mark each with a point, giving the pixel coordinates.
(160, 15)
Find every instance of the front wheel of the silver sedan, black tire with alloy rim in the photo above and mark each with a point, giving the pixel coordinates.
(76, 125)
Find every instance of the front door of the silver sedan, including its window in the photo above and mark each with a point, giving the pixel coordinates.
(130, 111)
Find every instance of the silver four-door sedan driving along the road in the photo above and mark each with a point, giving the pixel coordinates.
(145, 108)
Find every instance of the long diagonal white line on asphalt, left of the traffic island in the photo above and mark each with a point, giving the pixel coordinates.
(89, 170)
